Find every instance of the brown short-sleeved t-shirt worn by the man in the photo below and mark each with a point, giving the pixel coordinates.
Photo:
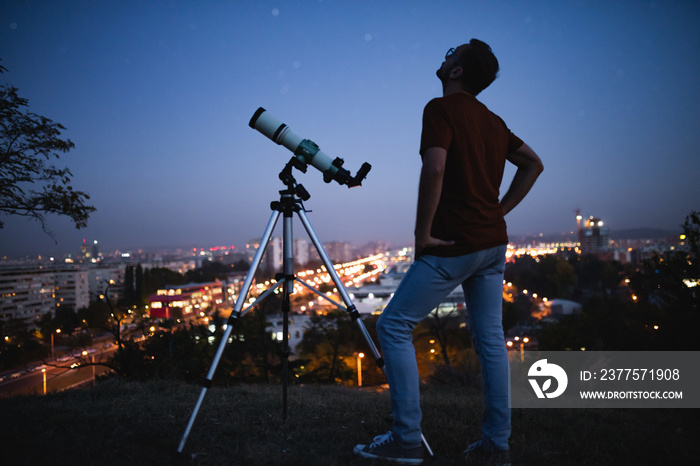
(477, 143)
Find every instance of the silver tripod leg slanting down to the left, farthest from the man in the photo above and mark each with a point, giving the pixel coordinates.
(235, 314)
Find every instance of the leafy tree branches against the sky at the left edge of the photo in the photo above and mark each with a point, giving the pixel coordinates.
(28, 143)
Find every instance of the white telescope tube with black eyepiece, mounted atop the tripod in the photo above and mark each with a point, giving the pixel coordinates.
(306, 151)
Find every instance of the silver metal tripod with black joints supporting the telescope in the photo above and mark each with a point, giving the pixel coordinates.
(291, 202)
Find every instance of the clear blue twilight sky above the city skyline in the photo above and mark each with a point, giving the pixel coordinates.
(157, 95)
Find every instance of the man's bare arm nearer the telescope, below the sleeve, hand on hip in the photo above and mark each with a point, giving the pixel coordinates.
(429, 191)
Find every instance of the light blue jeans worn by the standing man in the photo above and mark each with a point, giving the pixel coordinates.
(429, 280)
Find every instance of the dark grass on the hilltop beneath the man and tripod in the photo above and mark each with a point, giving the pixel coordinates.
(121, 423)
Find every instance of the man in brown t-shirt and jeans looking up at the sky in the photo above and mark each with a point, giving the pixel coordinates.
(460, 239)
